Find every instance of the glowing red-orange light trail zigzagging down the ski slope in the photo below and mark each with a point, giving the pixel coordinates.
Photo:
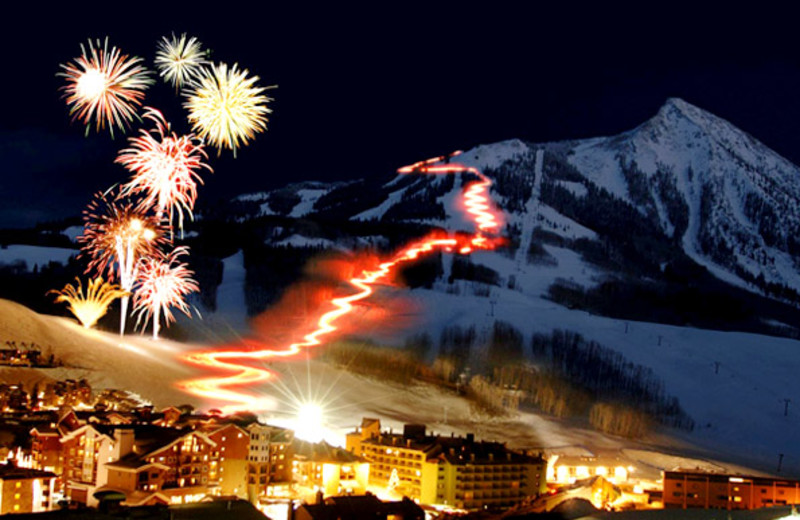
(234, 359)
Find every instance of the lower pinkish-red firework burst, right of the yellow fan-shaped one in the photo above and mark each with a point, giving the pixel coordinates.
(162, 284)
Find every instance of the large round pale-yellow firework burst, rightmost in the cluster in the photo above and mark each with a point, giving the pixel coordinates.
(226, 107)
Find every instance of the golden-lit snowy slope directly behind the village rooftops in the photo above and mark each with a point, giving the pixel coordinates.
(151, 370)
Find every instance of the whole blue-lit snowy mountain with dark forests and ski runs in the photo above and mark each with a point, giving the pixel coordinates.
(674, 245)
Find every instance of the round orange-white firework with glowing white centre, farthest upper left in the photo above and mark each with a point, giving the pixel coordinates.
(105, 85)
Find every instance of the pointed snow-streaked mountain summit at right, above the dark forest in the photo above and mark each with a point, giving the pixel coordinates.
(740, 201)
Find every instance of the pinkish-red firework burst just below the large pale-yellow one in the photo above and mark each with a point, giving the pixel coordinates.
(165, 168)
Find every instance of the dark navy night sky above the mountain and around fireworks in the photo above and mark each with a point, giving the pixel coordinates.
(364, 90)
